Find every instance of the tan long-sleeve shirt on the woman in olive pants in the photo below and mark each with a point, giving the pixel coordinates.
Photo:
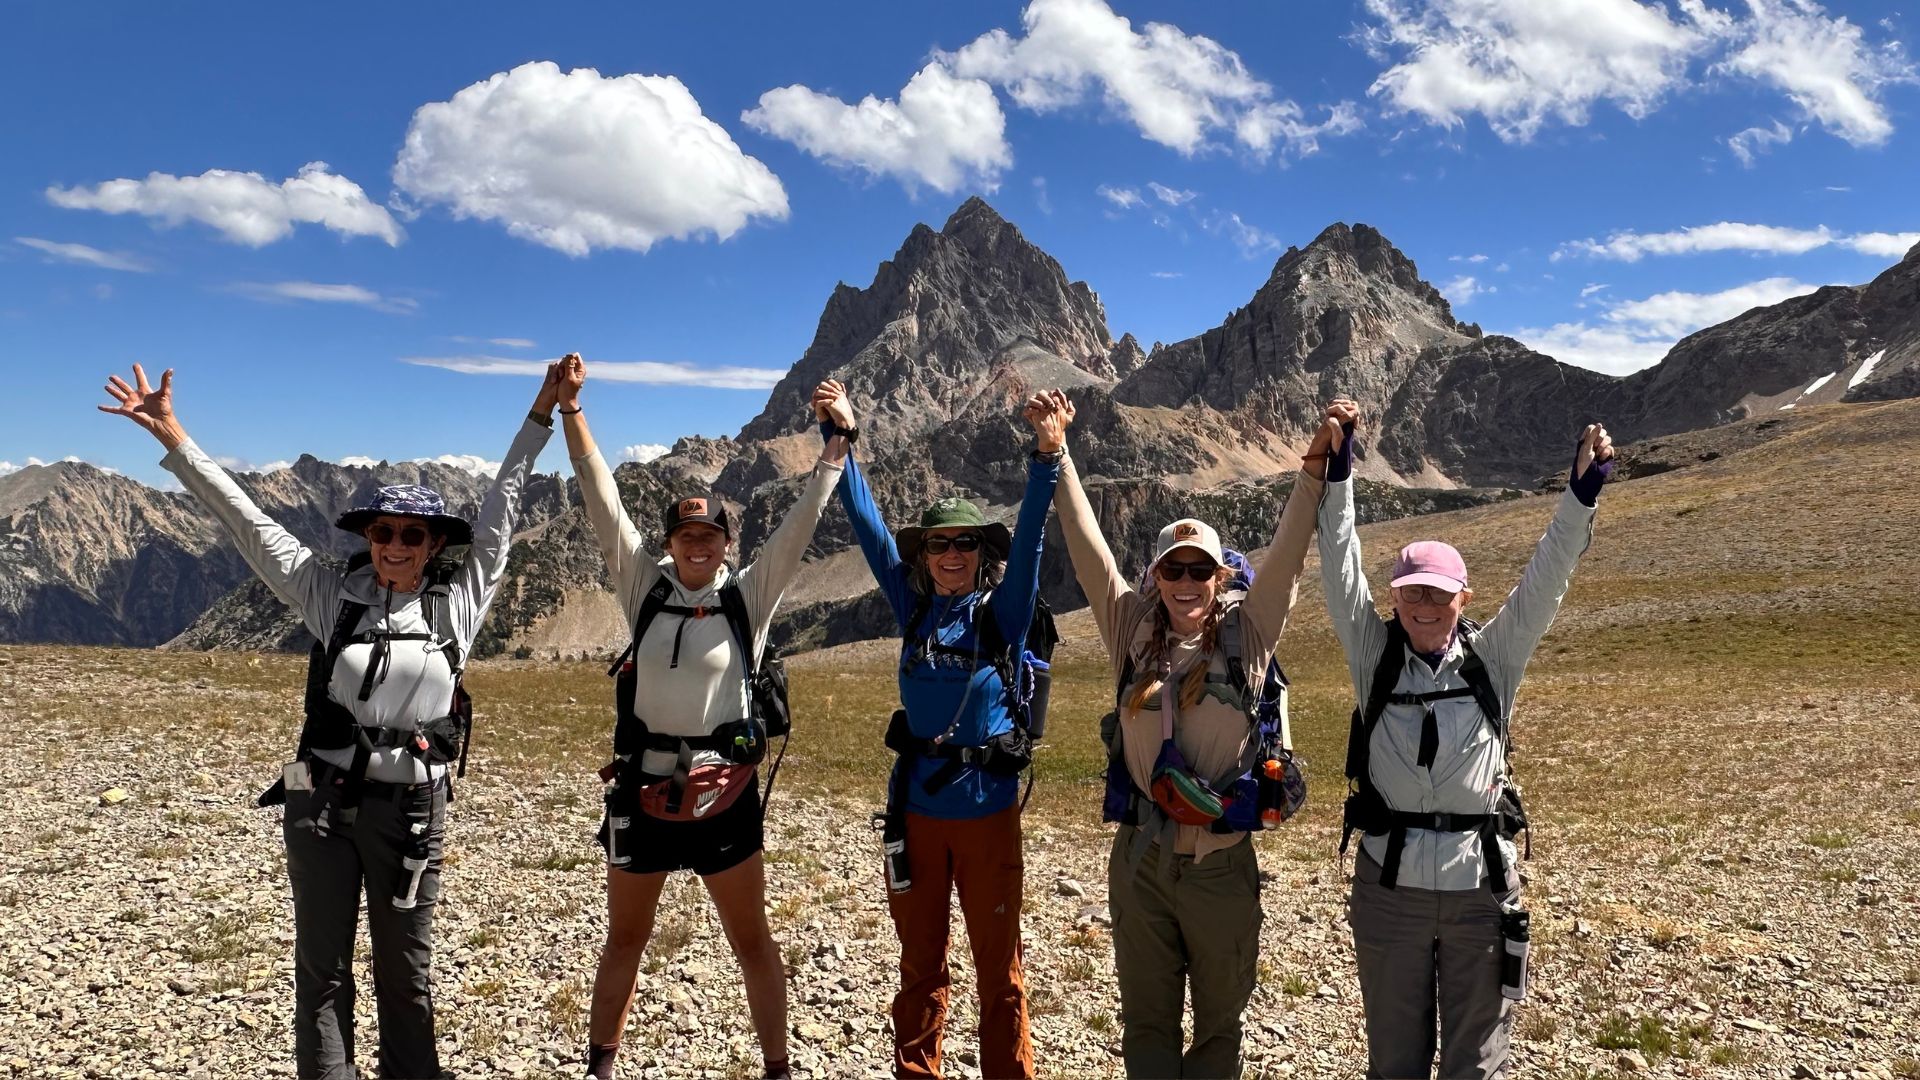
(1212, 735)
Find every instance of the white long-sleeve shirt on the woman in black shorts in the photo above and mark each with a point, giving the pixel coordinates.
(709, 685)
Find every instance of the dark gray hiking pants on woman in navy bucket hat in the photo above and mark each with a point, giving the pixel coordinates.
(327, 875)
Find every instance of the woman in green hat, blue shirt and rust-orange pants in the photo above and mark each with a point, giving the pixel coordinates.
(963, 593)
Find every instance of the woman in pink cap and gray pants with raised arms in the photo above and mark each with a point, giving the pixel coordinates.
(1435, 910)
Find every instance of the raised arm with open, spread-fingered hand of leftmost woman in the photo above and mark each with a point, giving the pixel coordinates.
(277, 556)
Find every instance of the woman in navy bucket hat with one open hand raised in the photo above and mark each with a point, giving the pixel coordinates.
(368, 795)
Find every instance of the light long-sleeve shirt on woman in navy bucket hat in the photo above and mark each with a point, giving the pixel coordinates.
(420, 681)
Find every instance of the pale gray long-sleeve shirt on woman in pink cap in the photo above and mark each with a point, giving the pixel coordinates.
(1468, 773)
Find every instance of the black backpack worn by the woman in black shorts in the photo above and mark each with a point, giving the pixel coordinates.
(742, 743)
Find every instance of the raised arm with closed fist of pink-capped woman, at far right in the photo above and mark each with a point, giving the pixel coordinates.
(1512, 635)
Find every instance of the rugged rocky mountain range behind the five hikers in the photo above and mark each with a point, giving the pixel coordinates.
(938, 353)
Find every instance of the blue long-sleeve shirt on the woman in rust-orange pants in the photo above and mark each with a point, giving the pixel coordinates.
(942, 691)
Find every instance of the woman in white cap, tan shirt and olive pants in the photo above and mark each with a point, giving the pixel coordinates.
(1186, 898)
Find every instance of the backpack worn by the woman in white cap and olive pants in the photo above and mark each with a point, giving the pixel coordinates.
(1270, 783)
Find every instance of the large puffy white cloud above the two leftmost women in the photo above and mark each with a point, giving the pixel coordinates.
(579, 162)
